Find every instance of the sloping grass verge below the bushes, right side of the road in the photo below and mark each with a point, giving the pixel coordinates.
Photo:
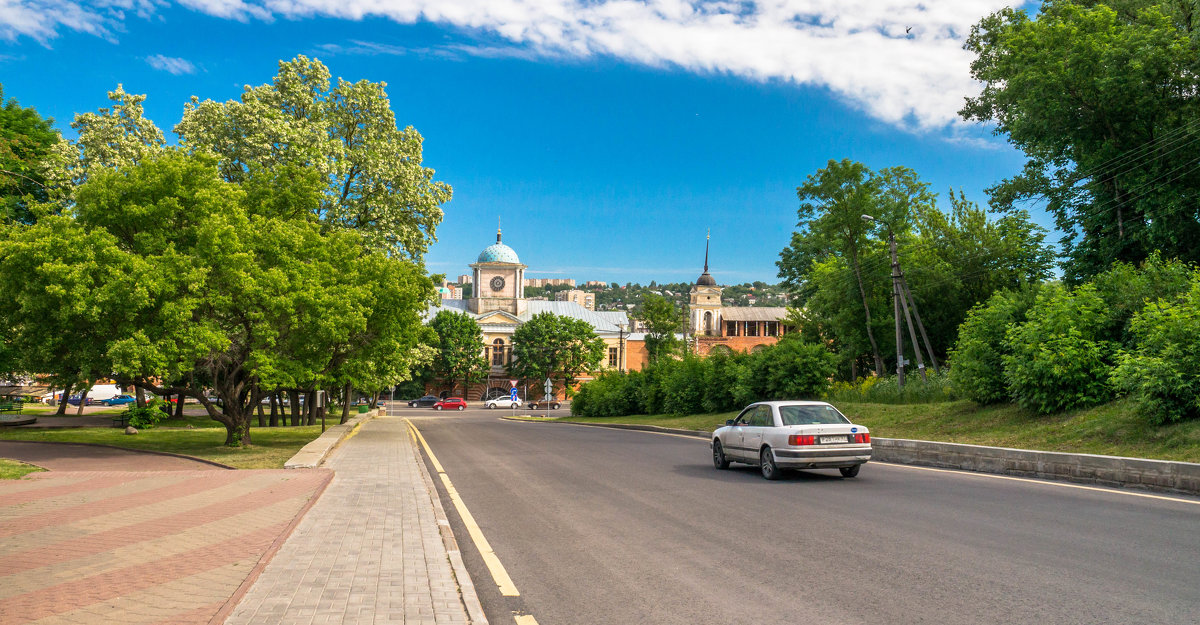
(1111, 430)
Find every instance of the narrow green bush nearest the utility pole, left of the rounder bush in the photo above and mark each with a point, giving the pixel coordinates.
(976, 366)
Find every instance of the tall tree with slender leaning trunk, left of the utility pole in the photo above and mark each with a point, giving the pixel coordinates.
(831, 227)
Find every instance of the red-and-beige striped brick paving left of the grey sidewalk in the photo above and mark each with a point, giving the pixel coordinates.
(140, 548)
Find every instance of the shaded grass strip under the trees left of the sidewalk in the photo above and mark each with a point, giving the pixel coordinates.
(193, 436)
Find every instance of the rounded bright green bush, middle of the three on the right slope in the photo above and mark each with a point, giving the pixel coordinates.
(1057, 360)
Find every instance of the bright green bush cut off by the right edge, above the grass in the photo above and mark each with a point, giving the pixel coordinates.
(1162, 374)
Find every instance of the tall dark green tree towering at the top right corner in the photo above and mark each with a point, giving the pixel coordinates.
(1102, 99)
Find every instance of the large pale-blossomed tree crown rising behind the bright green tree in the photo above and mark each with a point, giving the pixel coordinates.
(346, 137)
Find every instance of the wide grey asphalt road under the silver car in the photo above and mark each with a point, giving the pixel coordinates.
(601, 526)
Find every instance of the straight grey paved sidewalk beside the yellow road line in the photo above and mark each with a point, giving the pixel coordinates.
(370, 551)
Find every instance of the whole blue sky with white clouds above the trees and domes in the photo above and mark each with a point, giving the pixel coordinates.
(608, 136)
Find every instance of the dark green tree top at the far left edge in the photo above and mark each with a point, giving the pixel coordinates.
(27, 142)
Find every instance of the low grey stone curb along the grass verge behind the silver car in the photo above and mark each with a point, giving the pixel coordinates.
(1083, 468)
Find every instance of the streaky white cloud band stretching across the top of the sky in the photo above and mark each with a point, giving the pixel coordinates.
(899, 61)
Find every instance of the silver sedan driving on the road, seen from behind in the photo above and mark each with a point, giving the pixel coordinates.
(793, 436)
